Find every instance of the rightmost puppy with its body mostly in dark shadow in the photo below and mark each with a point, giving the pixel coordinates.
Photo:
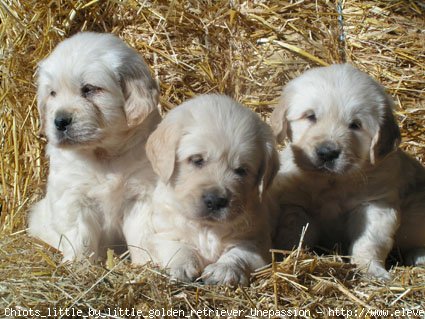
(342, 171)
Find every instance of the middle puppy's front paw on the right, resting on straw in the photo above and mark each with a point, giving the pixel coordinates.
(225, 274)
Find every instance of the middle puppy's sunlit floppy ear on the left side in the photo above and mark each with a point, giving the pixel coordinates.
(161, 149)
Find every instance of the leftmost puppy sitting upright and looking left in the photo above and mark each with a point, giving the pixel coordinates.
(98, 104)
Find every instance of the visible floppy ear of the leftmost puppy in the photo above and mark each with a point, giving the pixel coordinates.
(140, 90)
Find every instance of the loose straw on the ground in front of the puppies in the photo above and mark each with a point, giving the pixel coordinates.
(305, 283)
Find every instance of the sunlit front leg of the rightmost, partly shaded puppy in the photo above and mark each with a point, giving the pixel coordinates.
(372, 229)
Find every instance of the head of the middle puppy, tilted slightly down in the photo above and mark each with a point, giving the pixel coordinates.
(215, 155)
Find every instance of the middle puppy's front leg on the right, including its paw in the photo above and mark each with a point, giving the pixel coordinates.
(235, 266)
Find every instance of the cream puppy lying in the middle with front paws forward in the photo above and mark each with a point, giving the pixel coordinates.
(215, 159)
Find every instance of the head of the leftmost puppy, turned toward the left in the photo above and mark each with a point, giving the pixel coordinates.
(91, 88)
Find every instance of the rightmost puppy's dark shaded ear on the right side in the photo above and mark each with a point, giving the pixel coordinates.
(387, 137)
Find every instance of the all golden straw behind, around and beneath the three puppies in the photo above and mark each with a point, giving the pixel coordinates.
(247, 49)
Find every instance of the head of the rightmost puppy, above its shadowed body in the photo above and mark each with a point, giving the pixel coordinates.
(337, 119)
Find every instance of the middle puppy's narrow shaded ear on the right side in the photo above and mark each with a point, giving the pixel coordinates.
(269, 167)
